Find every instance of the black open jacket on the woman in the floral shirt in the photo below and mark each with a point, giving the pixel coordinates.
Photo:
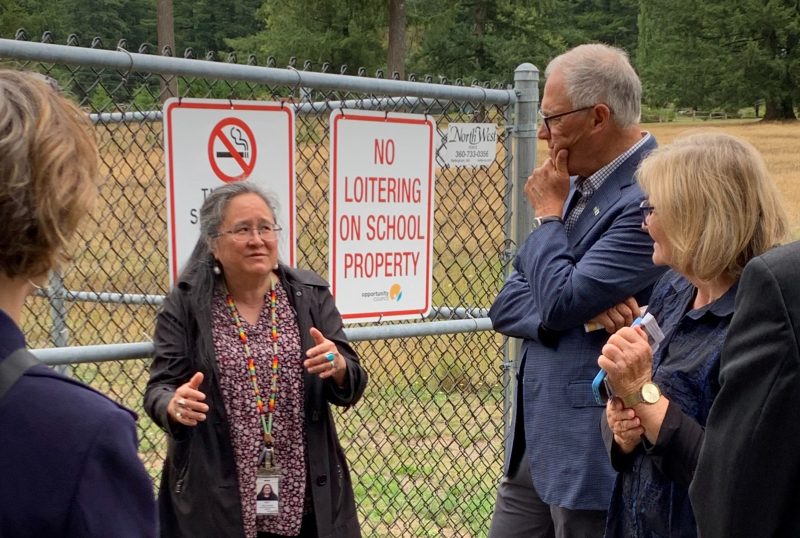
(199, 492)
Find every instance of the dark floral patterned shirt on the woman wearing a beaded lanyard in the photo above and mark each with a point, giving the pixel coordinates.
(288, 419)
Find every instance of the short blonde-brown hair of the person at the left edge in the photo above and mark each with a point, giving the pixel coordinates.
(48, 173)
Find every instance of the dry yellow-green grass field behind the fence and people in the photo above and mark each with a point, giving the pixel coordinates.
(425, 443)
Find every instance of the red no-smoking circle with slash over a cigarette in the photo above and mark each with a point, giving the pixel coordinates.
(243, 156)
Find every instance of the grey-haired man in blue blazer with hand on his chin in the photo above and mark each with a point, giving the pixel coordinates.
(586, 253)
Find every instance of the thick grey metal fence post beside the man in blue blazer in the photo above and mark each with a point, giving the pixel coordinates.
(526, 86)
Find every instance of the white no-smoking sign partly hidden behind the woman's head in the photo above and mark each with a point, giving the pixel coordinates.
(208, 143)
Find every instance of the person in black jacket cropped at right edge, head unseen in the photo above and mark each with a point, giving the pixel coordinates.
(747, 481)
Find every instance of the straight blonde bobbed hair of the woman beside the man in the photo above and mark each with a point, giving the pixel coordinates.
(715, 201)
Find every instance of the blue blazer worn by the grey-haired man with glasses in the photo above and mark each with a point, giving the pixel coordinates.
(560, 281)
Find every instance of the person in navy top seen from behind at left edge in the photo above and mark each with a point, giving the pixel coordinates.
(68, 455)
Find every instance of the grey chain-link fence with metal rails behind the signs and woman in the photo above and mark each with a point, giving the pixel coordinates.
(426, 442)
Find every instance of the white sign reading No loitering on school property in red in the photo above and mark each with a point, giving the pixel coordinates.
(381, 218)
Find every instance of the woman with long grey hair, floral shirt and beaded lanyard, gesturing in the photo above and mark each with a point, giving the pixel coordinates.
(249, 355)
